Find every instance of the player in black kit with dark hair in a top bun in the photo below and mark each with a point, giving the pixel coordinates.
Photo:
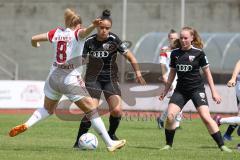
(102, 72)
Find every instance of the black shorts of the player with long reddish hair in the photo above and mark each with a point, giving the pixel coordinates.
(198, 98)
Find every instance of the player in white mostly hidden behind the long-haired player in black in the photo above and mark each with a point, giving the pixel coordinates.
(164, 60)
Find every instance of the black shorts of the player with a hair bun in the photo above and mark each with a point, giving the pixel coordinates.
(95, 89)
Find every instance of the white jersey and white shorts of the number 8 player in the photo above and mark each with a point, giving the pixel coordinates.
(64, 77)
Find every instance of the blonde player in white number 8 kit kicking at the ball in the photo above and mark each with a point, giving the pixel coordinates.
(67, 44)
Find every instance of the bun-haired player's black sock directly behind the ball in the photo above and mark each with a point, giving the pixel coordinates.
(83, 128)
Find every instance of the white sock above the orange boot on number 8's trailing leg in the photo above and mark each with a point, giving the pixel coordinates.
(37, 116)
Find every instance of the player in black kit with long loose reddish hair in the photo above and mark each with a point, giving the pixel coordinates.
(186, 62)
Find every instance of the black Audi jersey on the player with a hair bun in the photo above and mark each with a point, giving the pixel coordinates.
(102, 55)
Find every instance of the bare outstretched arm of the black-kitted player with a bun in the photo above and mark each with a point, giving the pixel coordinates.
(130, 57)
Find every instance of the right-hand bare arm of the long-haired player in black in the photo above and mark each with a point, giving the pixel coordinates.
(216, 97)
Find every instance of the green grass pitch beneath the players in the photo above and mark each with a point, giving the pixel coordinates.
(52, 139)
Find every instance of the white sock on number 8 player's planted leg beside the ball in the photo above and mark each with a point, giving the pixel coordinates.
(100, 128)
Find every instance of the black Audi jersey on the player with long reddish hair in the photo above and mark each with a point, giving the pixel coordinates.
(187, 64)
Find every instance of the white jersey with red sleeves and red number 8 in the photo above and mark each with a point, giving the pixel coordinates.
(66, 45)
